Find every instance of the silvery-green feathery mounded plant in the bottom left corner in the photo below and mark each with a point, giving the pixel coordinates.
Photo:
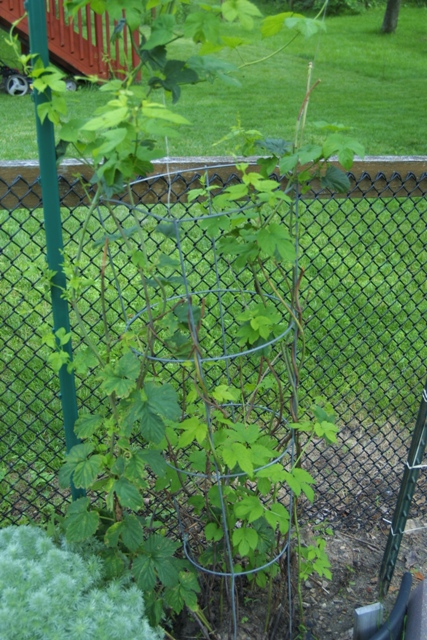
(47, 593)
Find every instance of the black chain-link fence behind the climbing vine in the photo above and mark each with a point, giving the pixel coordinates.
(365, 306)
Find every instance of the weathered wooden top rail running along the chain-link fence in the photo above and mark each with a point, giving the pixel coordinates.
(372, 177)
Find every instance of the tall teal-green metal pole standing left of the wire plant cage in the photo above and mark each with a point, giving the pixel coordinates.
(36, 10)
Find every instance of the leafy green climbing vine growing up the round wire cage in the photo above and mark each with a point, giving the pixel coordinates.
(217, 450)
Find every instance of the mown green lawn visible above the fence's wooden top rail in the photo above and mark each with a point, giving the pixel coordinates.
(374, 84)
